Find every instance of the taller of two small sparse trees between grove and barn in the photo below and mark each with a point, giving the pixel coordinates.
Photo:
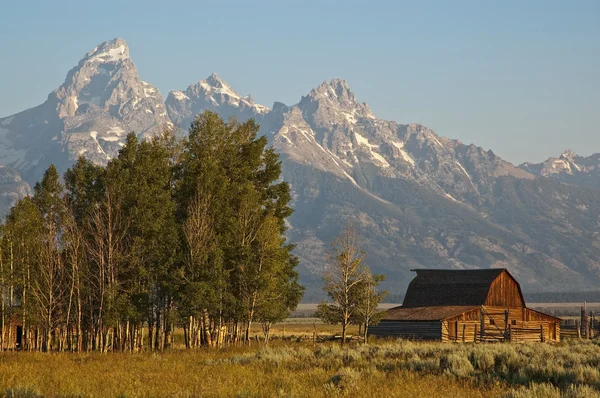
(344, 273)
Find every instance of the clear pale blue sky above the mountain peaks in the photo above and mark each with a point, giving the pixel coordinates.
(518, 77)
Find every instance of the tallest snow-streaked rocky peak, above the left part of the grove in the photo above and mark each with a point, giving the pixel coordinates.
(101, 100)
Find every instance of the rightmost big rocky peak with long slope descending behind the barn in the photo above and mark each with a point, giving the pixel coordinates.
(421, 200)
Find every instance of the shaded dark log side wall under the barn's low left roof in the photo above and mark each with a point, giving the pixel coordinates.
(414, 330)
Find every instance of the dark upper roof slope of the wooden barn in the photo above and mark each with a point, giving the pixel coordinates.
(435, 287)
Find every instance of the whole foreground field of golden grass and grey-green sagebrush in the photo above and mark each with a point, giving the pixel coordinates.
(293, 367)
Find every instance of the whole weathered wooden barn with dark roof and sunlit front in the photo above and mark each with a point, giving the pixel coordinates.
(466, 306)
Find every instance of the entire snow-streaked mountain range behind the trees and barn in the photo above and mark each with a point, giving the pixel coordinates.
(418, 199)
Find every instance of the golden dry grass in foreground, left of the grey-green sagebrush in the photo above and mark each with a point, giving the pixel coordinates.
(231, 372)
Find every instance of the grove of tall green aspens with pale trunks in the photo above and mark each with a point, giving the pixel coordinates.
(185, 233)
